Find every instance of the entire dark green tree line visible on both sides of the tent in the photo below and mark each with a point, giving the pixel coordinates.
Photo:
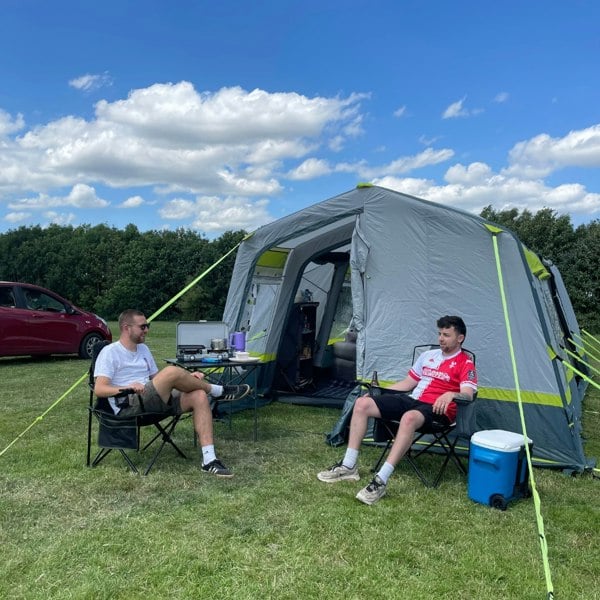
(105, 269)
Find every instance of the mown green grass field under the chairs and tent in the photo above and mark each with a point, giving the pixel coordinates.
(273, 531)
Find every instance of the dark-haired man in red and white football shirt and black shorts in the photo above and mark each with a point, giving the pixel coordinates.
(433, 381)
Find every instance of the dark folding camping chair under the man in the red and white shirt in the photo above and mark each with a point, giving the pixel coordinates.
(441, 438)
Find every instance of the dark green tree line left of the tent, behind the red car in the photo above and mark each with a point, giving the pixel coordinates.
(105, 270)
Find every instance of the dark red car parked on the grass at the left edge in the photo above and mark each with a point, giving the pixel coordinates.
(36, 321)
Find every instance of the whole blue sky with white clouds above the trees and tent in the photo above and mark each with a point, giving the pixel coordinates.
(221, 116)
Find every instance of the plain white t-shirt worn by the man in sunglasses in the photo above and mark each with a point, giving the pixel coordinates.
(123, 367)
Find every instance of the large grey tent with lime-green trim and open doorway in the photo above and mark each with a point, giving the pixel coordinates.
(388, 265)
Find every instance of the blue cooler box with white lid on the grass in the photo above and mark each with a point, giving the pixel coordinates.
(498, 467)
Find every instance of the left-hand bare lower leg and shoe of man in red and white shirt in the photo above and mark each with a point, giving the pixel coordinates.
(364, 407)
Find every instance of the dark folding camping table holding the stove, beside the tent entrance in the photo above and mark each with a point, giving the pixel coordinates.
(228, 372)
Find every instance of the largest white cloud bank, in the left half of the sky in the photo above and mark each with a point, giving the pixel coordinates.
(231, 142)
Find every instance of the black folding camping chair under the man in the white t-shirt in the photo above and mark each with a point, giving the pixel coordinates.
(123, 434)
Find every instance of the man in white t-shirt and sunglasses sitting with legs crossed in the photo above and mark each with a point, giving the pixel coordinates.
(129, 364)
